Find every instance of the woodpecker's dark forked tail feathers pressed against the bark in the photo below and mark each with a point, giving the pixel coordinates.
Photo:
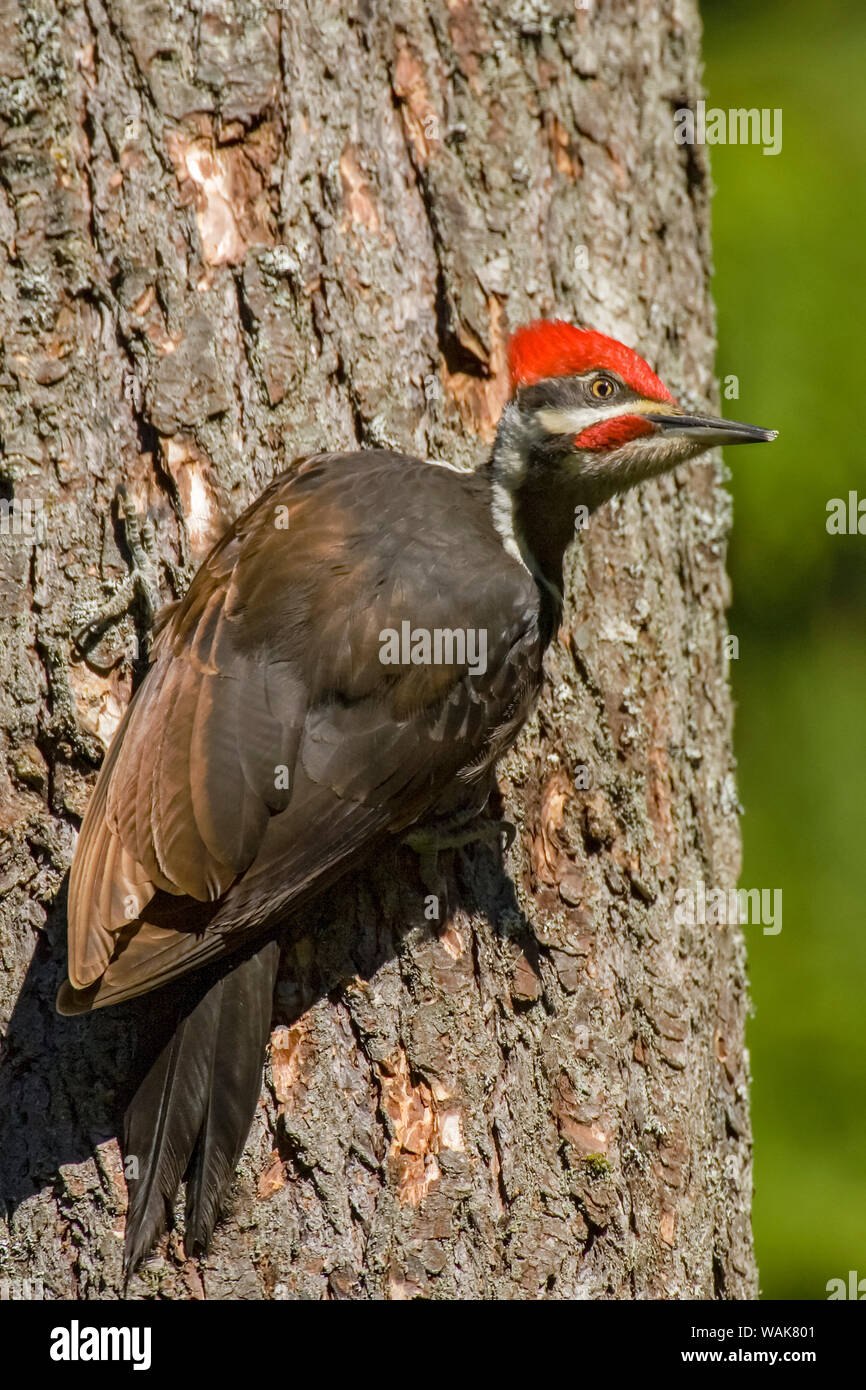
(193, 1113)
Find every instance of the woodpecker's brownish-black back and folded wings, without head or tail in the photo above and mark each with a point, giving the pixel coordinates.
(269, 747)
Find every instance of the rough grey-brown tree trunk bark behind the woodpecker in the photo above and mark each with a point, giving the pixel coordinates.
(231, 234)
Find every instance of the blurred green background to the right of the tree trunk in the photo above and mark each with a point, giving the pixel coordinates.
(790, 286)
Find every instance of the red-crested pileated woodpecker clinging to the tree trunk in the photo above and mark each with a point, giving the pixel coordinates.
(309, 698)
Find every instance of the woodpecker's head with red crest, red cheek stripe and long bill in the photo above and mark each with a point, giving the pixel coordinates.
(589, 419)
